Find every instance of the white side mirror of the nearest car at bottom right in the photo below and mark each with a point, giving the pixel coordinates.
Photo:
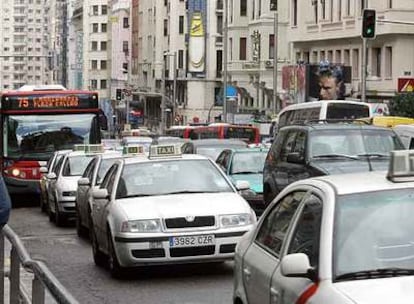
(297, 265)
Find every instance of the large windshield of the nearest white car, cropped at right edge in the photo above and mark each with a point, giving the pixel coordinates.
(373, 231)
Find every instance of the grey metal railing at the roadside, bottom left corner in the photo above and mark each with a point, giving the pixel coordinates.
(43, 279)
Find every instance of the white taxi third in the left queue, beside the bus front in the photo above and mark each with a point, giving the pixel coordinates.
(63, 182)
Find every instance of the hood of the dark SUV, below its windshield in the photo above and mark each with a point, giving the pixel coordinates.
(348, 166)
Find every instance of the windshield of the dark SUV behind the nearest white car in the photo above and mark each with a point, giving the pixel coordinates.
(358, 142)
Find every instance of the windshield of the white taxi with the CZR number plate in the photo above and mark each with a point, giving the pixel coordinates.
(175, 176)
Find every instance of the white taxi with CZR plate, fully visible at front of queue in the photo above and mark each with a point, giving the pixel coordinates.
(164, 209)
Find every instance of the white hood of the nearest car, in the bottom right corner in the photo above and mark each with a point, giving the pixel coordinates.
(396, 290)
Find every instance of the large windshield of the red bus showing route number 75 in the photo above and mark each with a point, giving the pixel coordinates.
(38, 136)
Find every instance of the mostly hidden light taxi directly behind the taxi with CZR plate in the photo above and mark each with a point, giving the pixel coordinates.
(91, 177)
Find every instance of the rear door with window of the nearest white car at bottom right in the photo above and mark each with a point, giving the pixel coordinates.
(263, 255)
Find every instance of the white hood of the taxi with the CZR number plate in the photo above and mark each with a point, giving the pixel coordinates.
(179, 205)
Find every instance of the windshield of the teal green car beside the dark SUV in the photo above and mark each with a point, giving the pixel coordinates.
(245, 163)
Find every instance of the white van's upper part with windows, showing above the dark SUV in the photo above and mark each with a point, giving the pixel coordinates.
(322, 110)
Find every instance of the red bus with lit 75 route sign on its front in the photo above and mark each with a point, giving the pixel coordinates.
(36, 123)
